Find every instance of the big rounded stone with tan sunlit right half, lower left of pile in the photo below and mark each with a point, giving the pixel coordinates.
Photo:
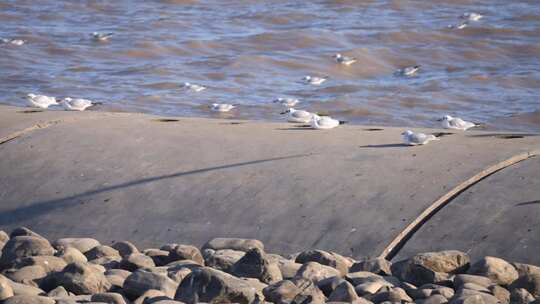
(80, 278)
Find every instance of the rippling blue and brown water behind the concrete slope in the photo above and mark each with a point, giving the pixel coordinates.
(250, 52)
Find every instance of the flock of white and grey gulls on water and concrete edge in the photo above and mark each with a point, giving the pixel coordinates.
(316, 121)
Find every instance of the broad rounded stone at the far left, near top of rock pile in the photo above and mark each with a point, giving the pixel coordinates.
(25, 246)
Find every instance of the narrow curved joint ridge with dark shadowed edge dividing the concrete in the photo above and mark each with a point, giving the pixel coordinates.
(399, 241)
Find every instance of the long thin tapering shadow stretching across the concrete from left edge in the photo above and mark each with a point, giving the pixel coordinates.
(43, 207)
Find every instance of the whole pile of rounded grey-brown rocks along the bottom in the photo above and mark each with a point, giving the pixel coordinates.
(227, 270)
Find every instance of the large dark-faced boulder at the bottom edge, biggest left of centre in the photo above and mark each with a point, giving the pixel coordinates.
(209, 285)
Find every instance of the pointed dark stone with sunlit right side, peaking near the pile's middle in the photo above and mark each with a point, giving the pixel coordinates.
(255, 265)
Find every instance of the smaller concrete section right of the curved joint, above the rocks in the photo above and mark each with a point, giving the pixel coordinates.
(499, 216)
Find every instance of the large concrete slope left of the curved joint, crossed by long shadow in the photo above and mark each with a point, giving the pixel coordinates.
(131, 176)
